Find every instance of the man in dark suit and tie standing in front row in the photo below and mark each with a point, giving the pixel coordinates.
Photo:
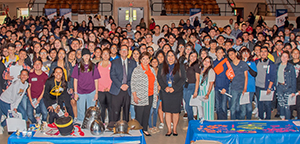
(120, 74)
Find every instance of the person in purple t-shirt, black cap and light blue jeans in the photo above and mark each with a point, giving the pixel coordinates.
(86, 77)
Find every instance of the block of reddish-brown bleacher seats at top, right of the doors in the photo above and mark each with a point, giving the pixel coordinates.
(184, 6)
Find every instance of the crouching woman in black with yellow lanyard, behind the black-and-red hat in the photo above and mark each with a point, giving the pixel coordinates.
(55, 93)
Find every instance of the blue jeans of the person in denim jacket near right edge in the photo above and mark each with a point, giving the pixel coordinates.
(282, 97)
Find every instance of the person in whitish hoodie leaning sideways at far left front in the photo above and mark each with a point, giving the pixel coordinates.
(12, 96)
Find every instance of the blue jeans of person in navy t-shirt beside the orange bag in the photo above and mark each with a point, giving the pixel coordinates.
(237, 111)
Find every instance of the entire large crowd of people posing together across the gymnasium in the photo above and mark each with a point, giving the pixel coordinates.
(146, 74)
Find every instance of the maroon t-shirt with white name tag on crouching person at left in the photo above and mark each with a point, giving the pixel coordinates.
(37, 83)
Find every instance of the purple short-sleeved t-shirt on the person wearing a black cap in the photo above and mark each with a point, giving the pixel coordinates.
(85, 84)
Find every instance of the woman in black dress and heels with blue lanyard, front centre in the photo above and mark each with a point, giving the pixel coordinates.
(171, 77)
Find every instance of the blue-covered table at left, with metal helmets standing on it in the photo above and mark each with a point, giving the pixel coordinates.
(14, 139)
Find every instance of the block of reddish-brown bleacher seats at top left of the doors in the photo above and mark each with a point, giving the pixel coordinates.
(77, 6)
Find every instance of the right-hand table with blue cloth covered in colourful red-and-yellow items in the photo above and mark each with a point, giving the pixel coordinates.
(244, 132)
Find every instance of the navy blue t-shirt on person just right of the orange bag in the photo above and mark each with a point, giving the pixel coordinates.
(238, 81)
